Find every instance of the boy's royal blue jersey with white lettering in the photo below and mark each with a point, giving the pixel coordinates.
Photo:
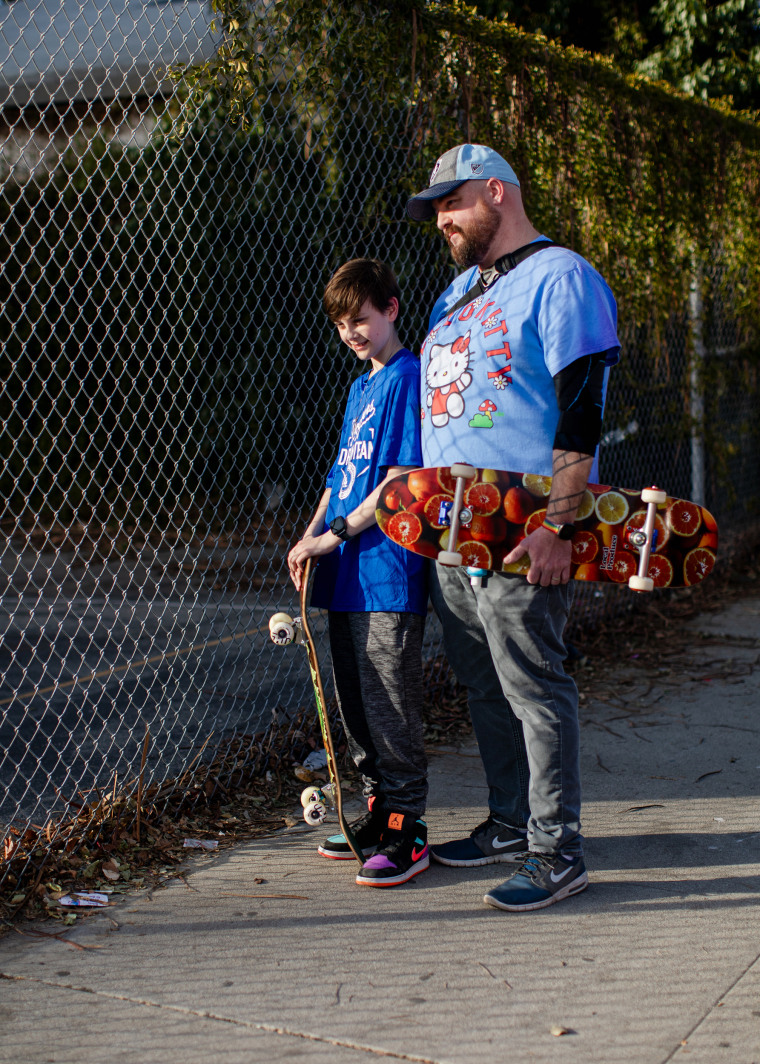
(370, 574)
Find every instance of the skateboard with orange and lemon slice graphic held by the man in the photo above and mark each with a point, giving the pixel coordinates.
(460, 516)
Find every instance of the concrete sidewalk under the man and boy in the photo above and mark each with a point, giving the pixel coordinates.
(658, 961)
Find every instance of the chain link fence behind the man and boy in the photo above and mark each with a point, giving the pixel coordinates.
(172, 392)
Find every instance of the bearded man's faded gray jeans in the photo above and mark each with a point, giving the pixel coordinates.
(505, 644)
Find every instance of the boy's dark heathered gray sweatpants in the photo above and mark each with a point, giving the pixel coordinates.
(377, 669)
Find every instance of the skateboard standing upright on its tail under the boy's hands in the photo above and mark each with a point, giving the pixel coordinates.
(285, 630)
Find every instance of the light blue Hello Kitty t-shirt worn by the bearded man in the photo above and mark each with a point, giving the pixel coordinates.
(488, 390)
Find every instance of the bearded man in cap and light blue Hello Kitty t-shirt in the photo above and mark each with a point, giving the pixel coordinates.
(530, 329)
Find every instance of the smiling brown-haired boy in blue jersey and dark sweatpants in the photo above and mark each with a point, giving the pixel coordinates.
(375, 592)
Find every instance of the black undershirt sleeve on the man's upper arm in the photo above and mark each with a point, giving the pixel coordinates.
(580, 390)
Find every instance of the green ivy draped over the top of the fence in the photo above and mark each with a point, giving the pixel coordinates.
(650, 185)
